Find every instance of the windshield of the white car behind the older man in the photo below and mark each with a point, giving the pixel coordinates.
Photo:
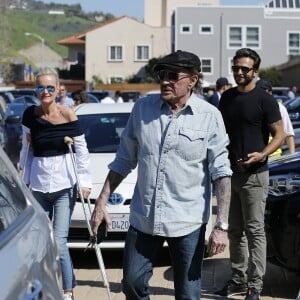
(103, 131)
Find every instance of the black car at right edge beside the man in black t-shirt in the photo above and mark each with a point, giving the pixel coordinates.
(282, 217)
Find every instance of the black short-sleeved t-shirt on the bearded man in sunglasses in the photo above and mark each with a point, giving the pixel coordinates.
(246, 117)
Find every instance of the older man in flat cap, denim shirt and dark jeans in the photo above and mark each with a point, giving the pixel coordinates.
(179, 144)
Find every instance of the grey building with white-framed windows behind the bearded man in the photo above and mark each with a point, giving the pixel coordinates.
(214, 33)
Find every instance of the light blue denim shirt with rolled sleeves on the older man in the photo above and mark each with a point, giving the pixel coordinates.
(177, 156)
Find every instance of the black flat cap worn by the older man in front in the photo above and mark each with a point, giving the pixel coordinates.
(179, 60)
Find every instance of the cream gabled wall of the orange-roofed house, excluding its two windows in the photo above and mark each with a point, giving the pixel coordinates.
(128, 33)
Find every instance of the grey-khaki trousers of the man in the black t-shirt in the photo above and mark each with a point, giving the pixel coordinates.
(246, 228)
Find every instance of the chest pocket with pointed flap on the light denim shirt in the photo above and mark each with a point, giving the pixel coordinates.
(191, 143)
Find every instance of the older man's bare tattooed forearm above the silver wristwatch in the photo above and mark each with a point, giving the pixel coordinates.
(223, 194)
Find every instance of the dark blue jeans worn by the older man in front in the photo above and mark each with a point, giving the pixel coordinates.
(140, 254)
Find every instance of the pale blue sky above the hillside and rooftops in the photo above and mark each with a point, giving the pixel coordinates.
(132, 8)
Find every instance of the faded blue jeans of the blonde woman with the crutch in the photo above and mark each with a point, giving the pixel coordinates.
(59, 207)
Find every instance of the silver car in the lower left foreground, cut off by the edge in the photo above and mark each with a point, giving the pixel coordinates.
(29, 261)
